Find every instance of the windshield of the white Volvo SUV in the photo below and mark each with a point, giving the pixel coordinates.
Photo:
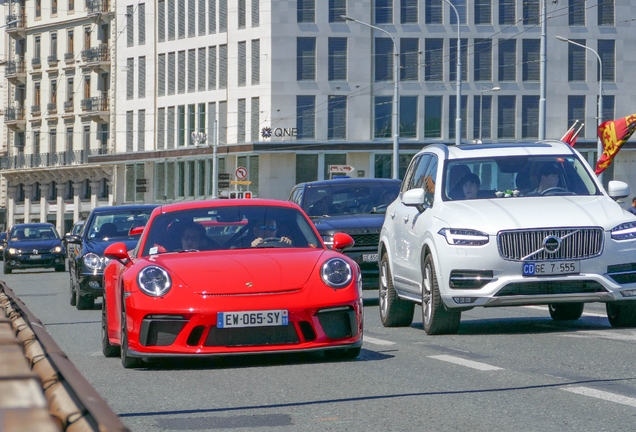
(516, 176)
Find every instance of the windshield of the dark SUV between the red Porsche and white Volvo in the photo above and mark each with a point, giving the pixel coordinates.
(342, 199)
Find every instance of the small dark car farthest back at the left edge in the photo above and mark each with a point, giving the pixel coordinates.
(36, 245)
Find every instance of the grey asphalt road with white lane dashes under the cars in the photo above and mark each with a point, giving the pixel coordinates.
(508, 369)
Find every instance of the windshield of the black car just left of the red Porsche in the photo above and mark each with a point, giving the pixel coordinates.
(108, 226)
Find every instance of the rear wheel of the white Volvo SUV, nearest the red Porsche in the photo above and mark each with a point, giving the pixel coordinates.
(394, 312)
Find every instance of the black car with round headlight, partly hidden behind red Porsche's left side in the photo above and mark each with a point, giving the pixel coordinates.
(104, 226)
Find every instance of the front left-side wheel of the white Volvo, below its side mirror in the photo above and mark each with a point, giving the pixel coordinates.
(437, 319)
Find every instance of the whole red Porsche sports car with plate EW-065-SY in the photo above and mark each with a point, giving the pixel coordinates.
(230, 277)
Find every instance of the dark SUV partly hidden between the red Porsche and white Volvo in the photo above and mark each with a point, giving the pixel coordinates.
(353, 206)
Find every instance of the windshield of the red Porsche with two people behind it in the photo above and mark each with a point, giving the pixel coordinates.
(229, 227)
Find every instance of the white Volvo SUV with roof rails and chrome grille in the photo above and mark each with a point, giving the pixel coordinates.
(505, 225)
